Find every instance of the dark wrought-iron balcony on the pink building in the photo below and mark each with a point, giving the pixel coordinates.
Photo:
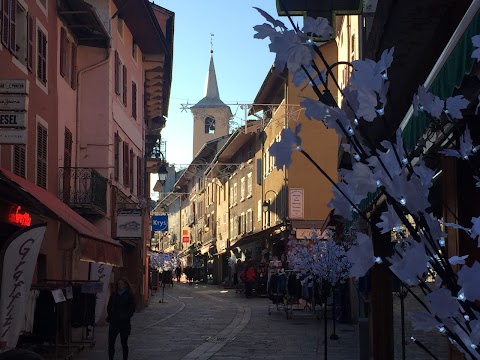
(84, 190)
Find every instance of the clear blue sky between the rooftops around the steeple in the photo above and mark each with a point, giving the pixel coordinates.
(241, 62)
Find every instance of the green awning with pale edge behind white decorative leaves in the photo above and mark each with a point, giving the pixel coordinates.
(447, 74)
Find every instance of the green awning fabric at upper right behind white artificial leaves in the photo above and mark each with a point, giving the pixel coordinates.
(450, 76)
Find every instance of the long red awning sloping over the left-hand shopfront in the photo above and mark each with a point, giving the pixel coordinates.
(94, 245)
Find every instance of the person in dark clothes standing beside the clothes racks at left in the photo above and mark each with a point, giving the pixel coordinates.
(120, 309)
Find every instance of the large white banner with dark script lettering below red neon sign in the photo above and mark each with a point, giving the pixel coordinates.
(18, 259)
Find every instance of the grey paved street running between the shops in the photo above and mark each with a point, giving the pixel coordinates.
(208, 322)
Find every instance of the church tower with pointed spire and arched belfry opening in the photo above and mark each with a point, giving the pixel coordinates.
(211, 116)
